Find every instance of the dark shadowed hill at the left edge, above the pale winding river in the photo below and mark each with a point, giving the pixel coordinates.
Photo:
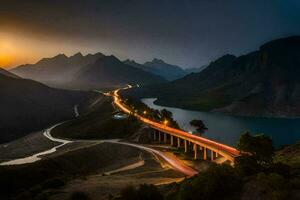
(28, 106)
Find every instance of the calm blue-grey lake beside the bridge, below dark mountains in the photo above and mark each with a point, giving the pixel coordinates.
(227, 128)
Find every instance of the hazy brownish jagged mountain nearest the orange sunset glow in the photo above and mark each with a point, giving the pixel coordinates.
(58, 70)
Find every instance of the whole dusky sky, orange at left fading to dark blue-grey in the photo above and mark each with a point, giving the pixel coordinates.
(189, 33)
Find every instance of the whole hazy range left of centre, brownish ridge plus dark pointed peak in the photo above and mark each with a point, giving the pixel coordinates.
(85, 72)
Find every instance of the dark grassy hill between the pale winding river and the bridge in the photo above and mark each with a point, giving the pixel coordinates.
(98, 122)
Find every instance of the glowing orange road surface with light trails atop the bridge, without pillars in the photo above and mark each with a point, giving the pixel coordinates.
(226, 151)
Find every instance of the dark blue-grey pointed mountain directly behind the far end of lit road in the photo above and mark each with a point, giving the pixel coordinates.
(108, 71)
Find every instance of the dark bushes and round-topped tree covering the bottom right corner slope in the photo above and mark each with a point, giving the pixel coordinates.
(256, 175)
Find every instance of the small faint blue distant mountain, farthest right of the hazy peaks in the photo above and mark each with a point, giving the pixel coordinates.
(159, 67)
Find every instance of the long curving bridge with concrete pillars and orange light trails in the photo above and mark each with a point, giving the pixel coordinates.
(200, 146)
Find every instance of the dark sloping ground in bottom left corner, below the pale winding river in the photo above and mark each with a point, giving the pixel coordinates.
(33, 181)
